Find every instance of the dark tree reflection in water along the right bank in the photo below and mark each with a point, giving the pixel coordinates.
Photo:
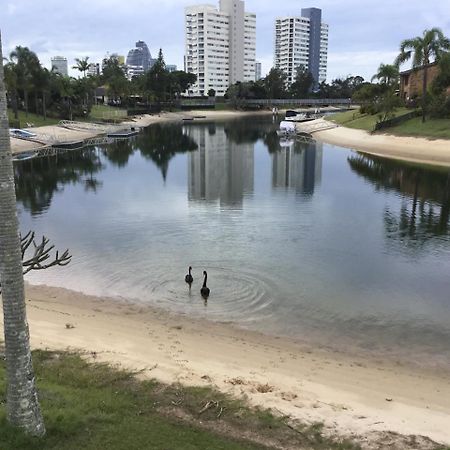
(423, 216)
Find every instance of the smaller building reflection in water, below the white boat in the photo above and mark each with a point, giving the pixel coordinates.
(297, 166)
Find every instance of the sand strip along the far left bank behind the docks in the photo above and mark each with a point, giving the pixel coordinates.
(55, 132)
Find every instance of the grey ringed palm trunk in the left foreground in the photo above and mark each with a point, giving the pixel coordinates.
(22, 402)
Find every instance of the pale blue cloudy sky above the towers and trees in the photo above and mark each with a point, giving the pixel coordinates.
(363, 33)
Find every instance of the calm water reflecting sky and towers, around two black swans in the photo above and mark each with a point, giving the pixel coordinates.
(301, 239)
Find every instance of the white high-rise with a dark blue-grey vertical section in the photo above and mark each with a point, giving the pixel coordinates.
(302, 41)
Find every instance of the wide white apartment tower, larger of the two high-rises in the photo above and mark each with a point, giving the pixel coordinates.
(220, 46)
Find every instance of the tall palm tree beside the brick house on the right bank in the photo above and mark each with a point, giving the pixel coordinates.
(426, 48)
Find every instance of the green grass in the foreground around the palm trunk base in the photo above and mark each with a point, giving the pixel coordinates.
(93, 406)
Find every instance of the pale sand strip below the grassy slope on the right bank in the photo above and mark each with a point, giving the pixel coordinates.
(414, 149)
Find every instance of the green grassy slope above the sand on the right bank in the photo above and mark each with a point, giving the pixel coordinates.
(432, 128)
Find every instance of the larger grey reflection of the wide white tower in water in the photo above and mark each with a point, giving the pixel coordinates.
(220, 170)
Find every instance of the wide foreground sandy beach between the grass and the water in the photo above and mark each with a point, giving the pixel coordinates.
(349, 394)
